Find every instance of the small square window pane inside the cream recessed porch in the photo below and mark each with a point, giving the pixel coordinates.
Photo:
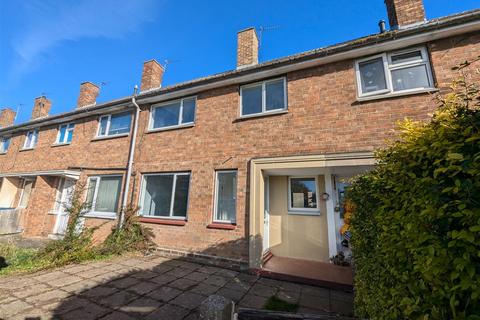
(303, 193)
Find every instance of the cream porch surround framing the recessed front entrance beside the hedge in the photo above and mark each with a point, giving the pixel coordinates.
(327, 165)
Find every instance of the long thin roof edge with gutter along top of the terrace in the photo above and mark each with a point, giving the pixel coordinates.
(367, 41)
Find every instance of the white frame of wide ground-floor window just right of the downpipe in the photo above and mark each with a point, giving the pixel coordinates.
(174, 185)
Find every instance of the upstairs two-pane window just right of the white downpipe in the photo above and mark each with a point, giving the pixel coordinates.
(173, 114)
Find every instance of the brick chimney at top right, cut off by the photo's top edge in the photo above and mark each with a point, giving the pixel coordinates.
(402, 13)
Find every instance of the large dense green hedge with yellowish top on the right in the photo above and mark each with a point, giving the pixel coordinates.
(416, 222)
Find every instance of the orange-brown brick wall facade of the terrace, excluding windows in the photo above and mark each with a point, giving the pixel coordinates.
(324, 116)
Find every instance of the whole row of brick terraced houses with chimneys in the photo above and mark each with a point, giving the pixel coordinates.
(244, 166)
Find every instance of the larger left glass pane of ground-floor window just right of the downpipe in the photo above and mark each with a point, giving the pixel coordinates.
(158, 195)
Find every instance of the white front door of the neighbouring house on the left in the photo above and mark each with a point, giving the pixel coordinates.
(64, 197)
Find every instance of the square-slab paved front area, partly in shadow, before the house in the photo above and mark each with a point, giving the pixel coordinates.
(152, 287)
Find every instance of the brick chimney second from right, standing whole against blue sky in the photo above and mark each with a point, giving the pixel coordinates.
(247, 48)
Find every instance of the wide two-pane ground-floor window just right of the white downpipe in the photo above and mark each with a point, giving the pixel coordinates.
(165, 195)
